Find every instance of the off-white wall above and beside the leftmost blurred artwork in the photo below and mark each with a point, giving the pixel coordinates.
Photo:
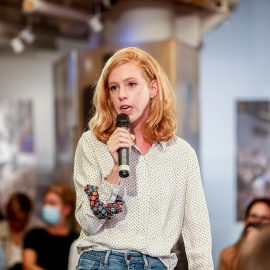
(30, 76)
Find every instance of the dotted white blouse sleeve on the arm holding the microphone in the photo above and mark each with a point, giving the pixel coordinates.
(87, 171)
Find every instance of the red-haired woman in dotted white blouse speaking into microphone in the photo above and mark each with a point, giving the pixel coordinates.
(135, 221)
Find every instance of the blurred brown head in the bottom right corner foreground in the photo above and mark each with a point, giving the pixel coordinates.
(254, 253)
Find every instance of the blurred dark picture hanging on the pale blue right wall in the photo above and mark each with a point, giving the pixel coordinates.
(253, 152)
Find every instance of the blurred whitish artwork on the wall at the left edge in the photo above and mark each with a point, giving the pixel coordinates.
(18, 157)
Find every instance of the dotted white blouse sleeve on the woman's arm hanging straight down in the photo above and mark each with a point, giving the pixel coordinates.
(196, 226)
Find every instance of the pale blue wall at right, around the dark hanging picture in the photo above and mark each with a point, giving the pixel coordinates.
(234, 65)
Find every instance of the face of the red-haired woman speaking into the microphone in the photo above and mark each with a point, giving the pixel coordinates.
(130, 93)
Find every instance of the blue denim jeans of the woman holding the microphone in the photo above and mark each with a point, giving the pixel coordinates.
(113, 260)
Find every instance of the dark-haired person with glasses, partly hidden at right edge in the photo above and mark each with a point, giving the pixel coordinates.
(258, 212)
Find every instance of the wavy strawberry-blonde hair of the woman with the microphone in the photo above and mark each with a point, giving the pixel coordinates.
(161, 123)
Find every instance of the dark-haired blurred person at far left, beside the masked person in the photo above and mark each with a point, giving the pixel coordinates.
(13, 228)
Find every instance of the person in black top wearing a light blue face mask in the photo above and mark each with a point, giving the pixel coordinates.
(48, 248)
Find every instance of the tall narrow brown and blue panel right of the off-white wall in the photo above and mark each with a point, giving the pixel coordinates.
(64, 88)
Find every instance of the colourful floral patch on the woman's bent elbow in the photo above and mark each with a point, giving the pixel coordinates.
(101, 210)
